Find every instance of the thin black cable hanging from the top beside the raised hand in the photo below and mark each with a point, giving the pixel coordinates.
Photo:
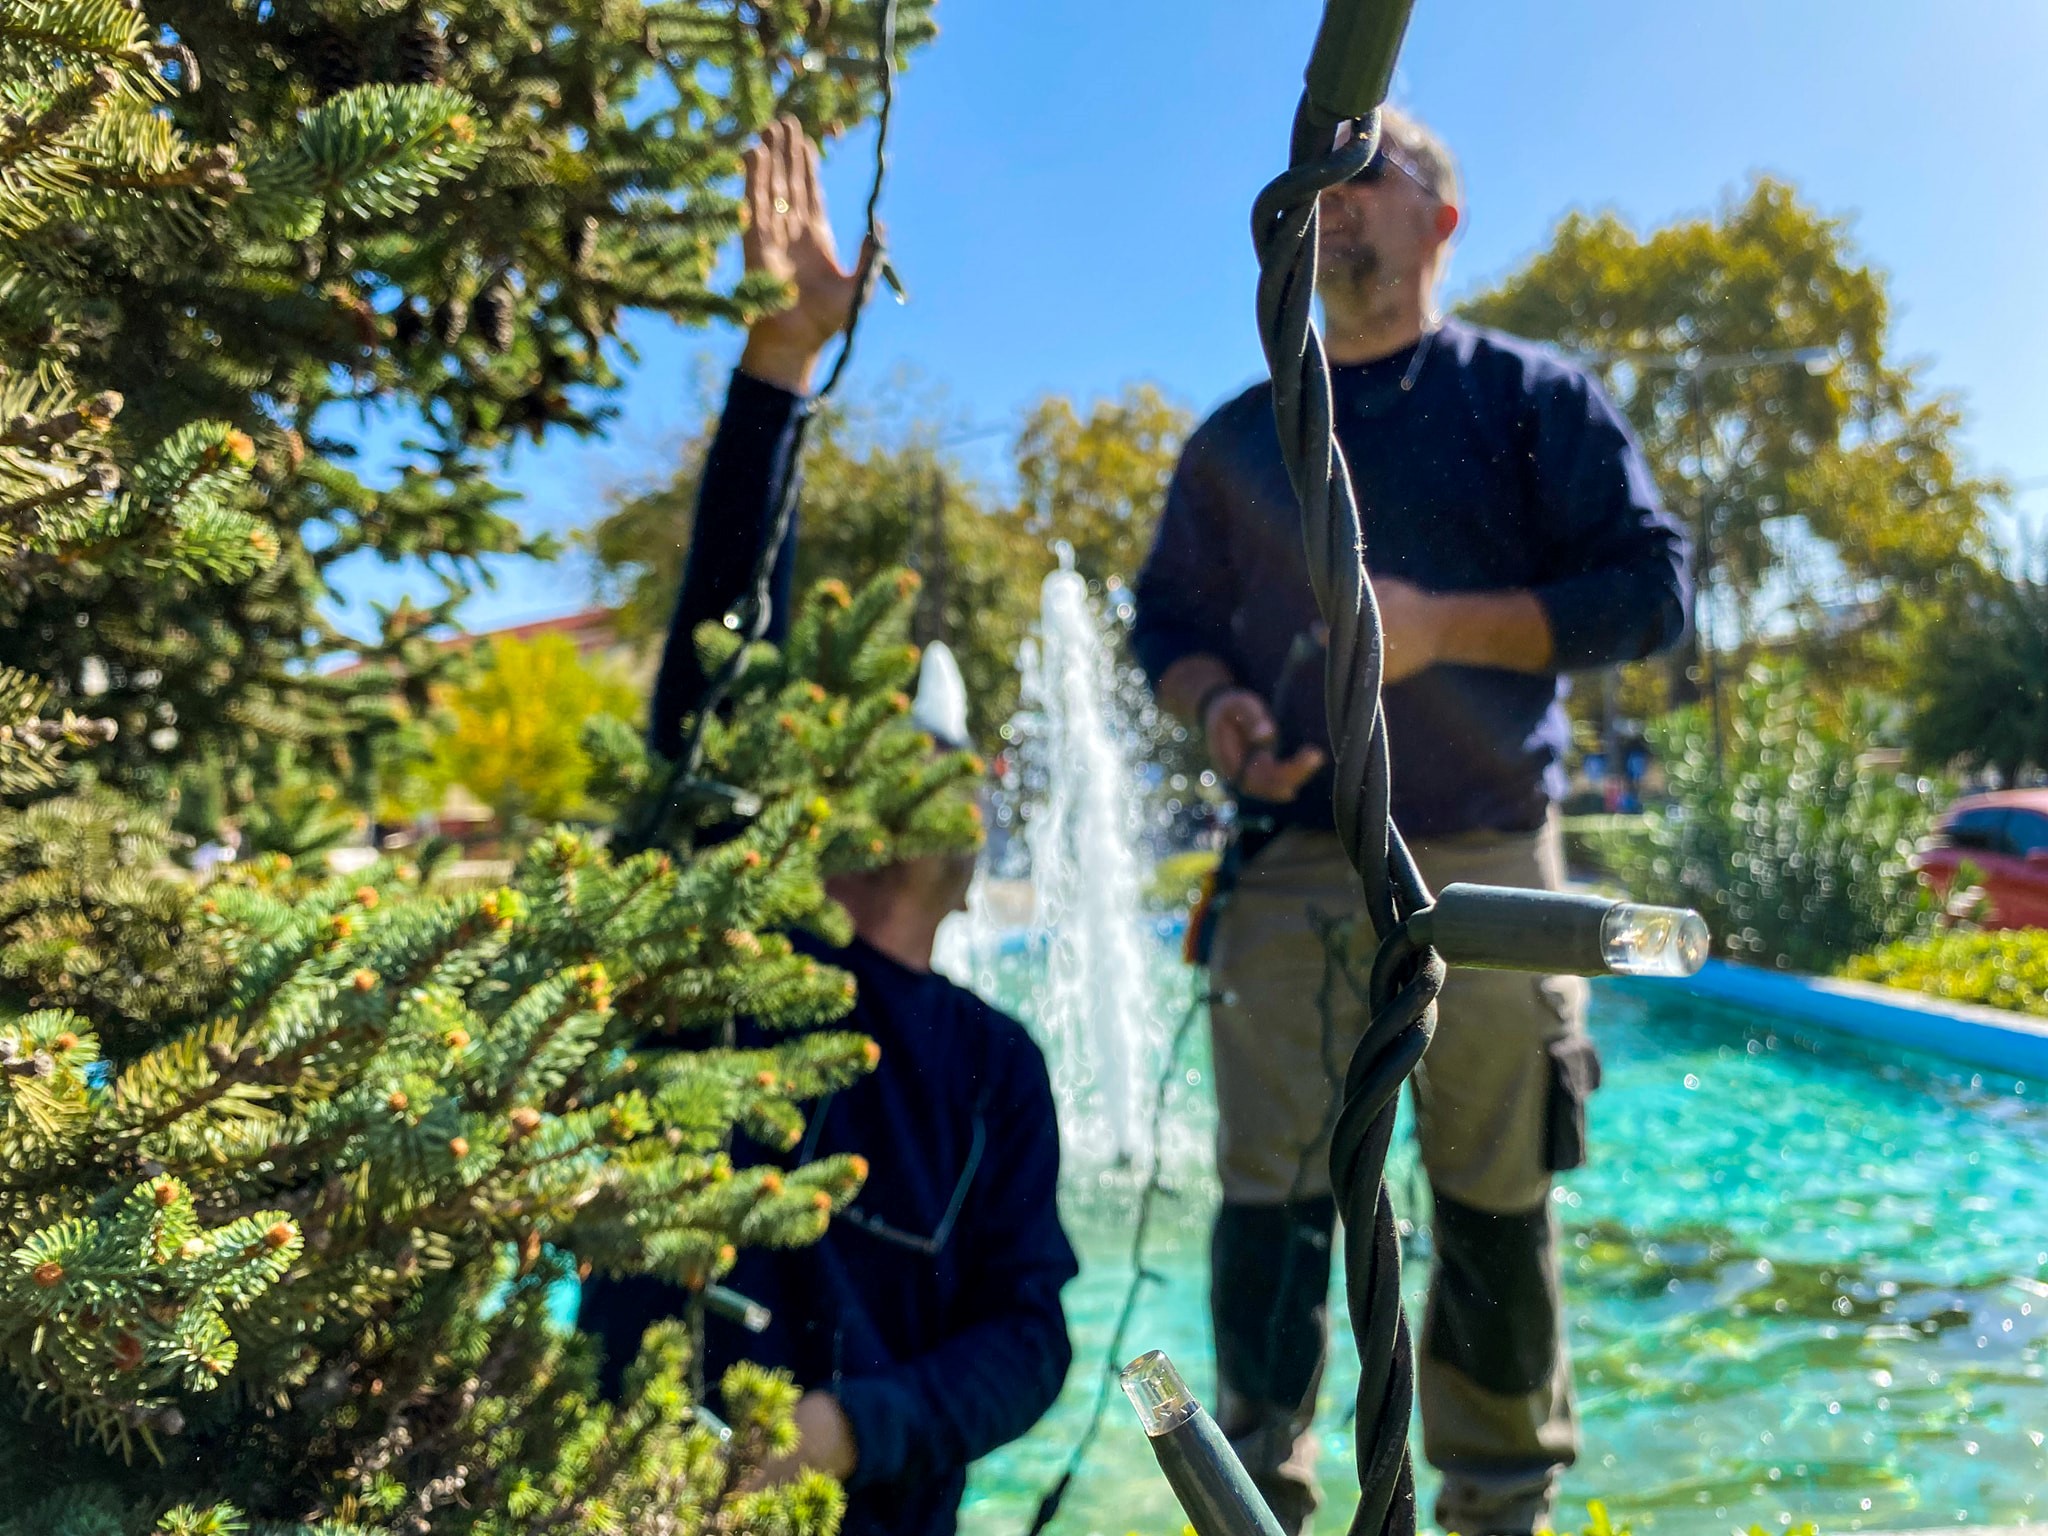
(757, 607)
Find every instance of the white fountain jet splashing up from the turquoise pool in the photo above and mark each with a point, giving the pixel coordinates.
(1097, 1007)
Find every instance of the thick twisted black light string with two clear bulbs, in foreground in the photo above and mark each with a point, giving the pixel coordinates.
(1336, 134)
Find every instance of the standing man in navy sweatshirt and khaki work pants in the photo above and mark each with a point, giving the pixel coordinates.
(1514, 536)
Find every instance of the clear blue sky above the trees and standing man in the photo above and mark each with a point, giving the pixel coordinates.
(1072, 183)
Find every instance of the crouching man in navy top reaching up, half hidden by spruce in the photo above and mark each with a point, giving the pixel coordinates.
(927, 1326)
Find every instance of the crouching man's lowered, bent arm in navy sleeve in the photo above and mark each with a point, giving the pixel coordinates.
(1000, 1369)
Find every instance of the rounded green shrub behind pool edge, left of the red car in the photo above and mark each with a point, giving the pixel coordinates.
(1793, 841)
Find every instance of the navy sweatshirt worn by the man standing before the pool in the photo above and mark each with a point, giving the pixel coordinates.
(1502, 468)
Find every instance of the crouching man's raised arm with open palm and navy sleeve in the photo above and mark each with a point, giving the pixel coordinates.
(751, 464)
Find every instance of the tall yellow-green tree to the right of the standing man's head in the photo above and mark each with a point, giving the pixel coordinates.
(1822, 501)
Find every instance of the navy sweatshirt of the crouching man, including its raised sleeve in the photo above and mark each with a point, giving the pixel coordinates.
(931, 1310)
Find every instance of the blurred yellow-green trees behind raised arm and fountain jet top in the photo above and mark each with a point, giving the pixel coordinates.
(880, 493)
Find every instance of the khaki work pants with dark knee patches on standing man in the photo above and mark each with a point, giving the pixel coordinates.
(1500, 1107)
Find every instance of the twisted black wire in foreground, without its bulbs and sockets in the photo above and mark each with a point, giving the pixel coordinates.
(1406, 976)
